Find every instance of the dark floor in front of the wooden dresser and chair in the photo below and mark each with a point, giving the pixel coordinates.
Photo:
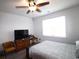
(18, 55)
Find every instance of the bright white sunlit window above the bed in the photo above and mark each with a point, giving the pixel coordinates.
(54, 27)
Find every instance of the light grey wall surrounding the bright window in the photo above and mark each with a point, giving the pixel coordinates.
(72, 25)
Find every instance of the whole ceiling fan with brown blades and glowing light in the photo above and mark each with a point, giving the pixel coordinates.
(32, 6)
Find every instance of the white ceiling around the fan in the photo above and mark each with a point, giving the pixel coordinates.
(55, 5)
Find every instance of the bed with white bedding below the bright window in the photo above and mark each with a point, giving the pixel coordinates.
(52, 50)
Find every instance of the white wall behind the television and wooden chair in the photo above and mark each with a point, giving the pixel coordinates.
(10, 22)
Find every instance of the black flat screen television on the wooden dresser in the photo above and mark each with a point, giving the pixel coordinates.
(20, 34)
